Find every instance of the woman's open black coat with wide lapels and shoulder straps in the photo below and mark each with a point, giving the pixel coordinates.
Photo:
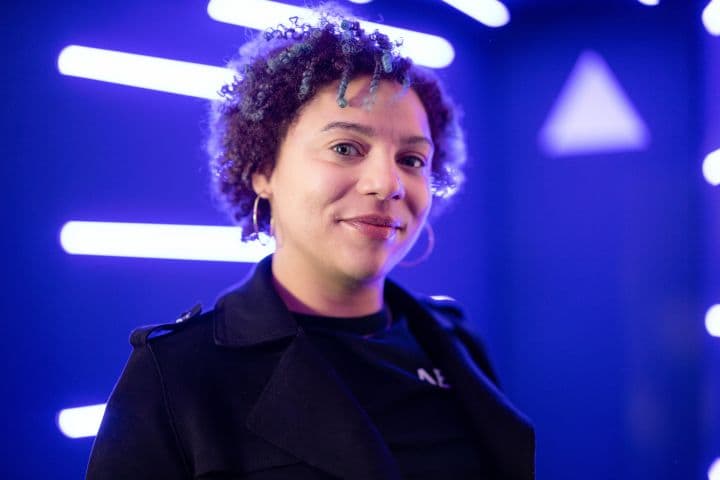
(240, 392)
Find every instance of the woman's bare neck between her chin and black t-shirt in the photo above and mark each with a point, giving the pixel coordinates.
(311, 292)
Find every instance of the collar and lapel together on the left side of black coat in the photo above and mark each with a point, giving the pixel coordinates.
(305, 408)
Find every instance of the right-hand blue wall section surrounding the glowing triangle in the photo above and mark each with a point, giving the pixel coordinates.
(597, 256)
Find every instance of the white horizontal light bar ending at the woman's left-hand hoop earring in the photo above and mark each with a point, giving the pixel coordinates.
(167, 241)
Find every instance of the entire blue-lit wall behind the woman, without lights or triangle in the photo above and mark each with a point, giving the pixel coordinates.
(586, 273)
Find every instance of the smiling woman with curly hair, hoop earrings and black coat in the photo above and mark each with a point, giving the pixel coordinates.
(318, 366)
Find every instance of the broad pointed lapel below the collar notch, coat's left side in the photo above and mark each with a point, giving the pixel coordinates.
(306, 410)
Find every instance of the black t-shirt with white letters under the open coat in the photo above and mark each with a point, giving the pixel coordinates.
(404, 394)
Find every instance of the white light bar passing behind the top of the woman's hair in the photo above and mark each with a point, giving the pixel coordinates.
(424, 49)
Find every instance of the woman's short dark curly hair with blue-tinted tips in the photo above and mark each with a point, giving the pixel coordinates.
(280, 71)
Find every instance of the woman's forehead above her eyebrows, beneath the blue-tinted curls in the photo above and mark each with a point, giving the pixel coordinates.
(389, 110)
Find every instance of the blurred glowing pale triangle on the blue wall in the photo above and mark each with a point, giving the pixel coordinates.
(592, 114)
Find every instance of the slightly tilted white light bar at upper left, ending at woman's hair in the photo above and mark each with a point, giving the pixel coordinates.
(153, 73)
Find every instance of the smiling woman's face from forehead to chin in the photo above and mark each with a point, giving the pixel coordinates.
(350, 190)
